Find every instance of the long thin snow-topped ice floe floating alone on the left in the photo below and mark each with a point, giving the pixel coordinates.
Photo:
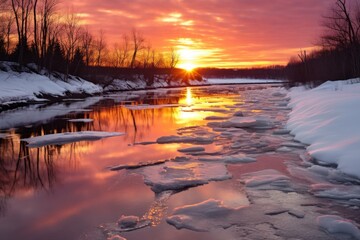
(68, 137)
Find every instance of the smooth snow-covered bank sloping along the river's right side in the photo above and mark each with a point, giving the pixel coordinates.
(327, 118)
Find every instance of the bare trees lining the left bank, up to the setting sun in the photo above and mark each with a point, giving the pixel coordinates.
(59, 42)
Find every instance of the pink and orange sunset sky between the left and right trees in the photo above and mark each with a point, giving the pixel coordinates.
(211, 33)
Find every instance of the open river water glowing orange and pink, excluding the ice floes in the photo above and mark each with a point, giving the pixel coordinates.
(68, 191)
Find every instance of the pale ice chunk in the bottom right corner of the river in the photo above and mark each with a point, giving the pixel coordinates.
(337, 225)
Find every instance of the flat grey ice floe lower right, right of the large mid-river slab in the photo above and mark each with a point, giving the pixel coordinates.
(268, 179)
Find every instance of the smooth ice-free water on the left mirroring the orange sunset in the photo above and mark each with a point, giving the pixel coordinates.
(69, 184)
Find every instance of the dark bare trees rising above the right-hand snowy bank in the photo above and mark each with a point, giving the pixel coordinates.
(338, 55)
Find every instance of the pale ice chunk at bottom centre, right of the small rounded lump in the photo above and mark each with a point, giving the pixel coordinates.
(200, 217)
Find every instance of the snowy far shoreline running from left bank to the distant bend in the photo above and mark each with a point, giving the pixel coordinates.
(30, 86)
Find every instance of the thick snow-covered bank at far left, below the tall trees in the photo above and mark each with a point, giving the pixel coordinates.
(30, 86)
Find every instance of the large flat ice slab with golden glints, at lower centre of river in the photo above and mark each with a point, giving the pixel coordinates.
(182, 175)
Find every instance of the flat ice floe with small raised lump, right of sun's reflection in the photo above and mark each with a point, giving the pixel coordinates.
(249, 122)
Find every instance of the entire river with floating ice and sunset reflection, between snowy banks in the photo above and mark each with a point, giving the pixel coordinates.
(189, 163)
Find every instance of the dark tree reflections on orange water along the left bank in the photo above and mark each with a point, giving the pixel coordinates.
(24, 169)
